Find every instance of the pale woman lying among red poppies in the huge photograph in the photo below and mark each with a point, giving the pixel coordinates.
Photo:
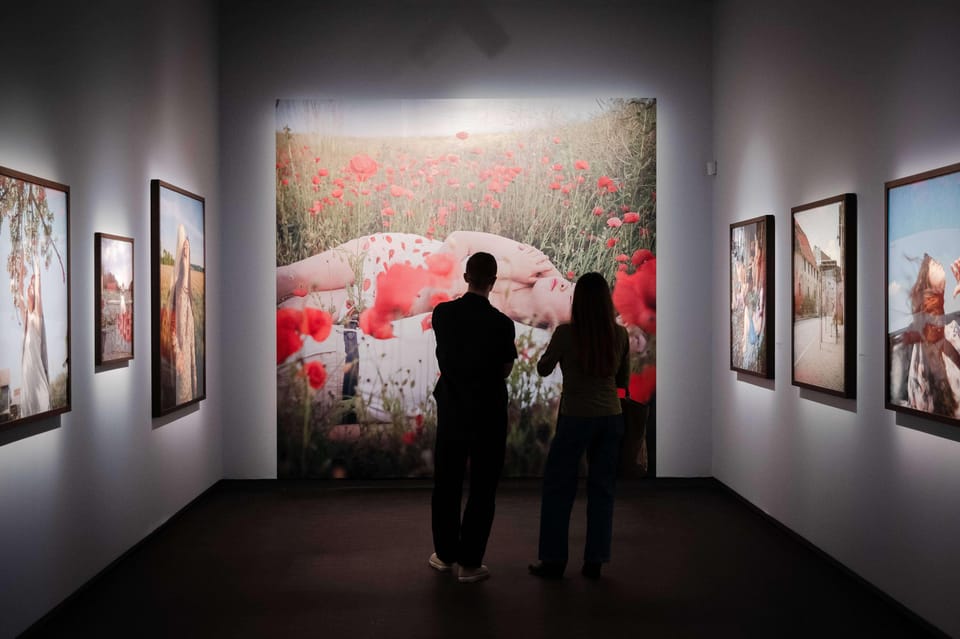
(529, 288)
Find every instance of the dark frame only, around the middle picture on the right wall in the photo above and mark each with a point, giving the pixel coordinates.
(848, 264)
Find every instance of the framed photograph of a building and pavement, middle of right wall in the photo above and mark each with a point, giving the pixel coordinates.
(824, 298)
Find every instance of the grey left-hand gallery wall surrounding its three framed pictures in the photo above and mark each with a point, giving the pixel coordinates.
(104, 97)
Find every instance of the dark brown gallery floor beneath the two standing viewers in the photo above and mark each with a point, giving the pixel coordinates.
(321, 559)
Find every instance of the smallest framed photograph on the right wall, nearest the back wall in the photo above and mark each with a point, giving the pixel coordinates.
(751, 297)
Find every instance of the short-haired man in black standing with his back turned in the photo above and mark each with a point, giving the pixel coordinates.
(475, 352)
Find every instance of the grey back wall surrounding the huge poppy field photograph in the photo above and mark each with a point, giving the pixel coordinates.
(295, 49)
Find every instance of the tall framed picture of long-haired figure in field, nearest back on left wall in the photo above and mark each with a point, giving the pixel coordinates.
(178, 296)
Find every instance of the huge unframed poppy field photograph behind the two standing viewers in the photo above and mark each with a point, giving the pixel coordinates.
(379, 204)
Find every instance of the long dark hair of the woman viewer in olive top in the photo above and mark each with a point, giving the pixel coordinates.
(594, 326)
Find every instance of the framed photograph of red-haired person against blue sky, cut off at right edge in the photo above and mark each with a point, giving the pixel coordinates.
(923, 294)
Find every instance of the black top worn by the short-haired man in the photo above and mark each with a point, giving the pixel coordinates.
(474, 341)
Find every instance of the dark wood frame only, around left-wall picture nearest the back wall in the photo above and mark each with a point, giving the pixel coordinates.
(159, 409)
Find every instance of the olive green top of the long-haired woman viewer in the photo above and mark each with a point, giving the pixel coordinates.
(586, 395)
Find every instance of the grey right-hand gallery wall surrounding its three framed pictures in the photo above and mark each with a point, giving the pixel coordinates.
(813, 100)
